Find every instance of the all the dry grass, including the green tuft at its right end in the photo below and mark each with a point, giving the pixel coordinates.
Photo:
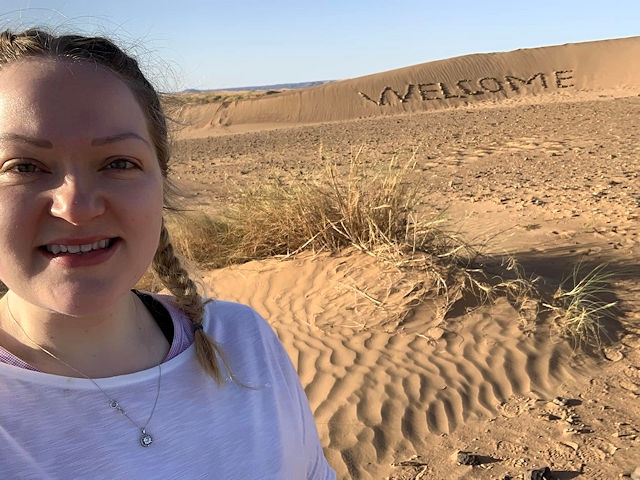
(372, 207)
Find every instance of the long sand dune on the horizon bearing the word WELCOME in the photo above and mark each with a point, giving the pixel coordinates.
(560, 71)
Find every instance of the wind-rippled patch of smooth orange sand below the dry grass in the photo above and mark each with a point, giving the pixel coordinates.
(379, 394)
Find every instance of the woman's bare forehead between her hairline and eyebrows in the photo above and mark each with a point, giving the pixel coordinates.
(55, 97)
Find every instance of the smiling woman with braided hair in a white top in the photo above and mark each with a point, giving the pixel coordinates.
(98, 380)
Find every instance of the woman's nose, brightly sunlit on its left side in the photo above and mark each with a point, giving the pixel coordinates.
(77, 201)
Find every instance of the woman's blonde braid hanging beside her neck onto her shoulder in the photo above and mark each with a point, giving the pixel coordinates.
(174, 277)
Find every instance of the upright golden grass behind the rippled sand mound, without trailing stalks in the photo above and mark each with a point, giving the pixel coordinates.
(371, 208)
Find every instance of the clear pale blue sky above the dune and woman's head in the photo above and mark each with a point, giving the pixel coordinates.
(216, 44)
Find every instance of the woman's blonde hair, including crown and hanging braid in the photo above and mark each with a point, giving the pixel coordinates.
(35, 43)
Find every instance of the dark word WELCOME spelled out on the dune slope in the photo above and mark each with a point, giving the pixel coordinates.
(470, 88)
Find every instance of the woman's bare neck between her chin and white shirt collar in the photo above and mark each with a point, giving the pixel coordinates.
(121, 339)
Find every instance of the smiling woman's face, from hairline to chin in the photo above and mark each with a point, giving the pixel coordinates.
(80, 186)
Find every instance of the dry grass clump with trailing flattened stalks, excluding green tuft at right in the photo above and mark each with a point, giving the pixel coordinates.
(369, 206)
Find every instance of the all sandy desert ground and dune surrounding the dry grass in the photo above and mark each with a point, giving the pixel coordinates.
(532, 153)
